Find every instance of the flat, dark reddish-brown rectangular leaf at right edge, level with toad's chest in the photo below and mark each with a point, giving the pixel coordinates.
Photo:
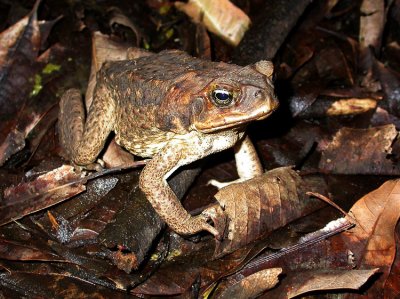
(360, 151)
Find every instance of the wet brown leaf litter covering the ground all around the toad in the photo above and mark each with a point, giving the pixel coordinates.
(338, 86)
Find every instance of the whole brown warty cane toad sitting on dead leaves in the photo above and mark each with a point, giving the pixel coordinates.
(176, 109)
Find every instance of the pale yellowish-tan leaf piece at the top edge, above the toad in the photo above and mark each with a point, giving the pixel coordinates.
(220, 17)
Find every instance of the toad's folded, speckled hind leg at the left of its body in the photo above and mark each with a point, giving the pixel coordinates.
(82, 140)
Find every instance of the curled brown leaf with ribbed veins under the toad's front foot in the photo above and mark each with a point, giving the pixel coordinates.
(261, 205)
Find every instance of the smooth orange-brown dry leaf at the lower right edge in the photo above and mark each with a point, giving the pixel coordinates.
(372, 241)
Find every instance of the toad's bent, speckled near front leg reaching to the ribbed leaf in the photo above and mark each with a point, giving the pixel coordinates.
(153, 182)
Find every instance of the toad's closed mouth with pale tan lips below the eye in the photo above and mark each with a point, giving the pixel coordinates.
(222, 122)
